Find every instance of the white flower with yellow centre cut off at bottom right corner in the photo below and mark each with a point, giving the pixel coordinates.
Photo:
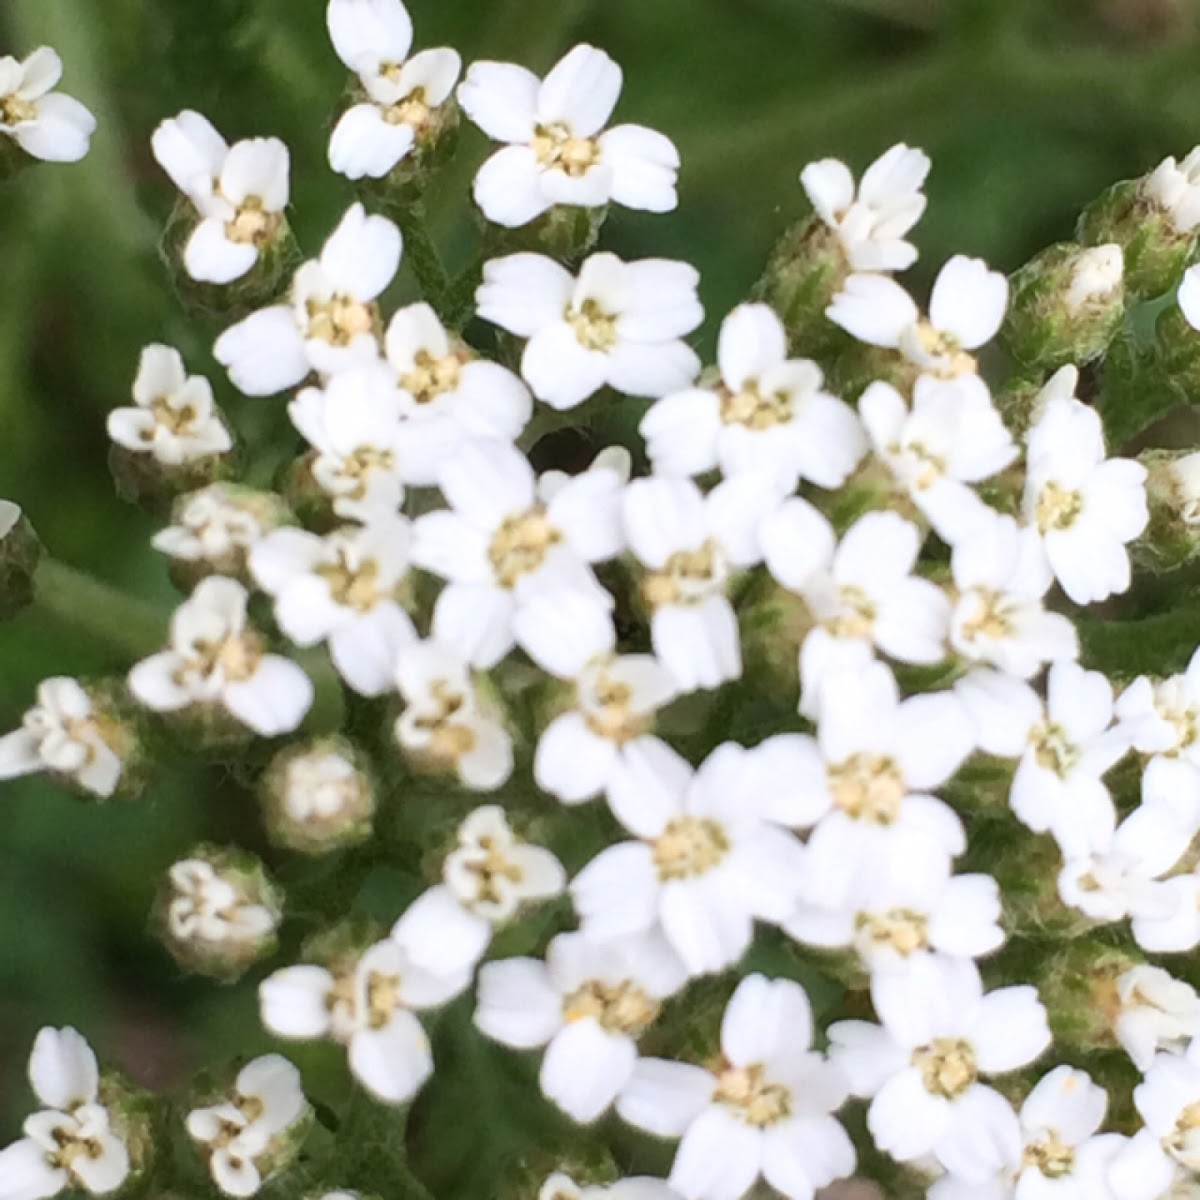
(1168, 1149)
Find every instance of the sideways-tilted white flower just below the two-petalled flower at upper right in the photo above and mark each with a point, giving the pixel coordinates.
(952, 437)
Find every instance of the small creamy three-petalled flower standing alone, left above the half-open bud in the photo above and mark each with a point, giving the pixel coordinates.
(176, 419)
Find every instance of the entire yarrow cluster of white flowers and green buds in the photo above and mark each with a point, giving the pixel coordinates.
(767, 801)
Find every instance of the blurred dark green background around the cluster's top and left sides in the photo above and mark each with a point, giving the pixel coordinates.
(1029, 109)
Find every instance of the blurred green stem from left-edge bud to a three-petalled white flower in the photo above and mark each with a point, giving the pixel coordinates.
(99, 610)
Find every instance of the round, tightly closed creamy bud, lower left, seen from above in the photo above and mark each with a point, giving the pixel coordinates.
(319, 797)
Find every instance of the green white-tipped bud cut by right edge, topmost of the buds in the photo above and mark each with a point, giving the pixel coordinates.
(1154, 220)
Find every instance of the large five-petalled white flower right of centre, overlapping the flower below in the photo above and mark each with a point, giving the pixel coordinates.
(863, 781)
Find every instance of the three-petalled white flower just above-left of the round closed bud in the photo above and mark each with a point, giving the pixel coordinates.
(215, 658)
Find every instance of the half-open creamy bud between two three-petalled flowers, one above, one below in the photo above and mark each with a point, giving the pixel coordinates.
(214, 530)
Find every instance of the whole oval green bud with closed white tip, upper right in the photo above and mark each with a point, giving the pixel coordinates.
(1067, 303)
